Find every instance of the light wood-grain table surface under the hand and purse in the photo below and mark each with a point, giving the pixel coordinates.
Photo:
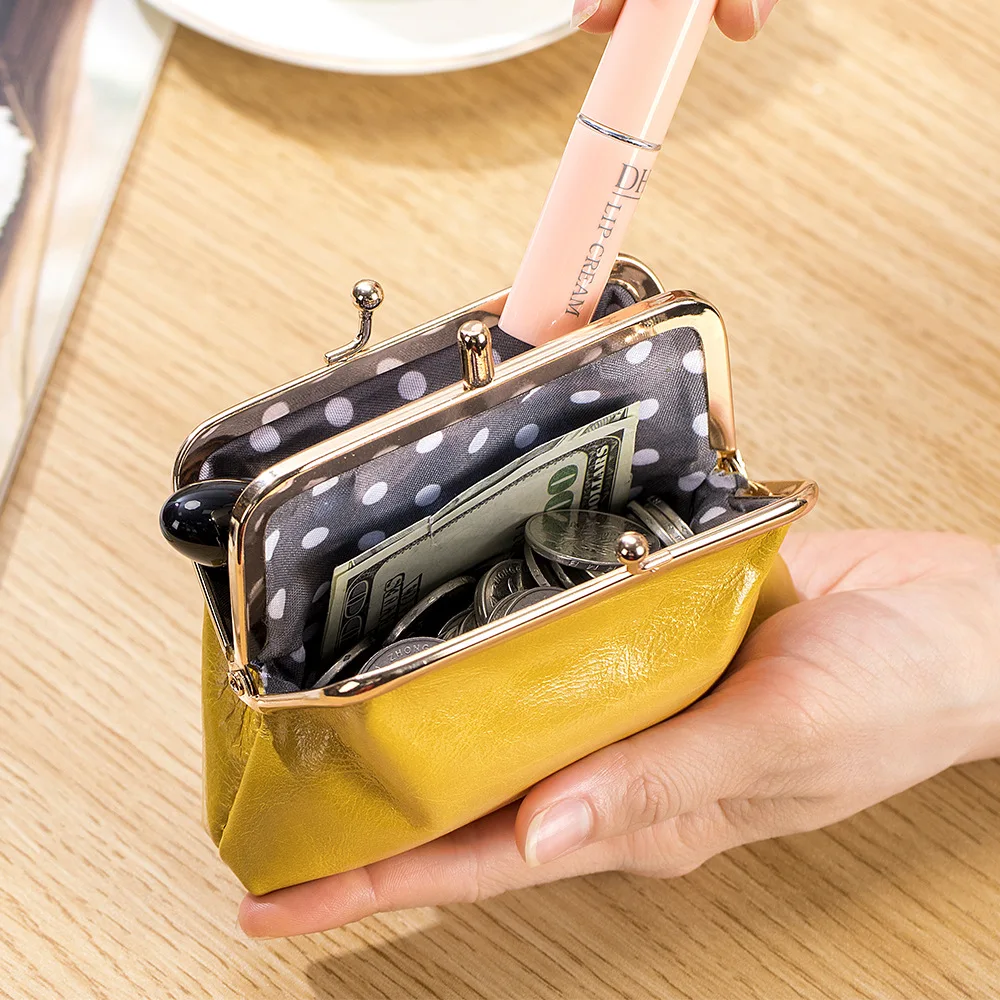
(834, 187)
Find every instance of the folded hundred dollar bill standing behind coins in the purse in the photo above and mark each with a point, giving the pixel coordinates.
(590, 468)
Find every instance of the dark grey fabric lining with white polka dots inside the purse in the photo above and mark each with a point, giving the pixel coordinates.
(312, 533)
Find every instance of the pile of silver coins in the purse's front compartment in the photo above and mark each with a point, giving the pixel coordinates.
(562, 549)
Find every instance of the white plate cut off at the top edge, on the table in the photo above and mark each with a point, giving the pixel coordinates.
(378, 36)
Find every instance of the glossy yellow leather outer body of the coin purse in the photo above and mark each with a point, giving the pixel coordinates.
(297, 794)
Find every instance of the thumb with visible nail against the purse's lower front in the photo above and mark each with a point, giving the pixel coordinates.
(713, 751)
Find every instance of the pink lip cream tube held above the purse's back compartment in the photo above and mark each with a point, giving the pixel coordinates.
(606, 167)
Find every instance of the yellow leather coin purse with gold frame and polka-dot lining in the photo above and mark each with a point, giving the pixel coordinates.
(315, 765)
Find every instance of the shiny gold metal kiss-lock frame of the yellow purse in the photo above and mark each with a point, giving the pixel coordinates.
(657, 312)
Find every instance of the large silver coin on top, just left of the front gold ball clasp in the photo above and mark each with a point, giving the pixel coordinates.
(584, 539)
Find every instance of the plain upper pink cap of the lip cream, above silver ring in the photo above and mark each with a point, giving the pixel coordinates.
(646, 65)
